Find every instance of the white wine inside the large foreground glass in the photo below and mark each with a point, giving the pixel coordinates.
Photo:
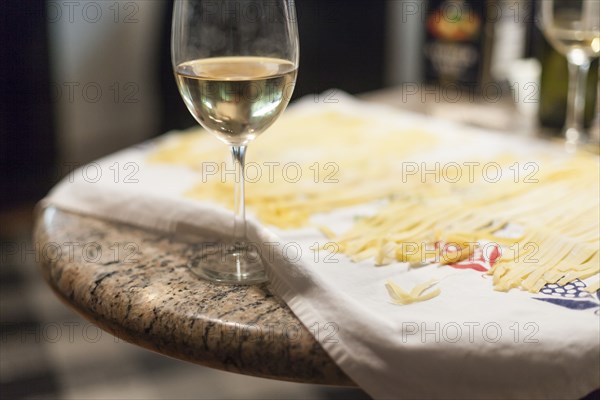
(236, 98)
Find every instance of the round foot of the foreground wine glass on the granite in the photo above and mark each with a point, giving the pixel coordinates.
(229, 265)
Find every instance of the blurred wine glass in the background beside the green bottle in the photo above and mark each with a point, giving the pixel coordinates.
(573, 29)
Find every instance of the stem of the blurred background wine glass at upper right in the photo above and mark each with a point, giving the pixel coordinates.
(578, 72)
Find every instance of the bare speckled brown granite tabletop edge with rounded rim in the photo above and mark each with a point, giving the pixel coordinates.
(136, 285)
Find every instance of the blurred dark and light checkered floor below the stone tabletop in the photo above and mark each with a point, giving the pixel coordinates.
(47, 351)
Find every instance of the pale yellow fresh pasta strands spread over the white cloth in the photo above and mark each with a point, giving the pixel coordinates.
(345, 161)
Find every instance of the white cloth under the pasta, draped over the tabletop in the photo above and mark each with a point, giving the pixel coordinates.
(469, 342)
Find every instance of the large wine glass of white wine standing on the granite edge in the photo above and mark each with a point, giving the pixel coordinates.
(235, 62)
